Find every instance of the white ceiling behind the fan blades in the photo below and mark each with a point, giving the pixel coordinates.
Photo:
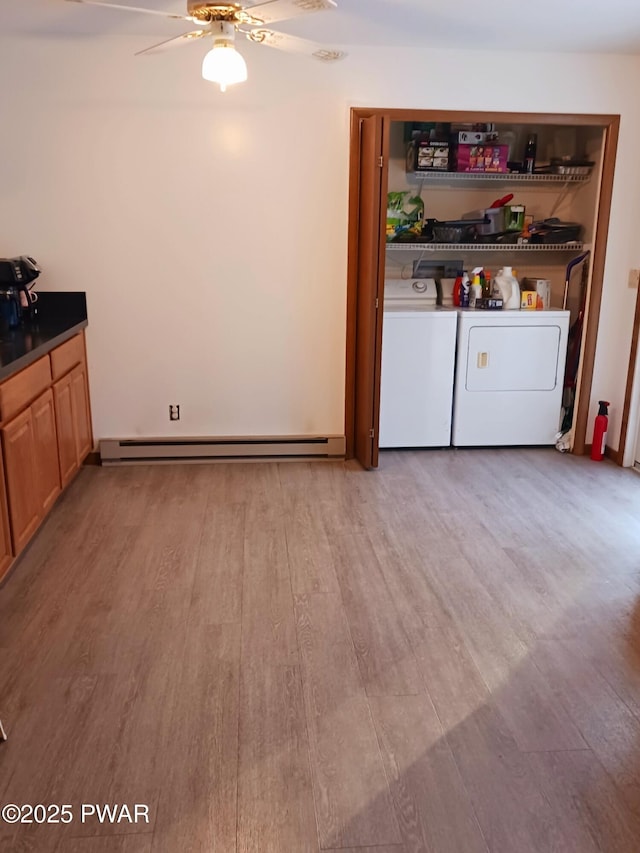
(609, 26)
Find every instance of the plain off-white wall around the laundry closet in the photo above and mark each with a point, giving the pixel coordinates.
(209, 230)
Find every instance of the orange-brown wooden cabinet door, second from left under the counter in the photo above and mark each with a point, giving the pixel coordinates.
(19, 457)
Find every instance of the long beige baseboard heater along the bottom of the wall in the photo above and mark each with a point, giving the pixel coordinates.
(131, 451)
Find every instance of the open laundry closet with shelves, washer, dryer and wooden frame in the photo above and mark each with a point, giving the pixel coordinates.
(437, 195)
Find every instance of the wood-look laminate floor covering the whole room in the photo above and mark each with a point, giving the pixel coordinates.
(440, 656)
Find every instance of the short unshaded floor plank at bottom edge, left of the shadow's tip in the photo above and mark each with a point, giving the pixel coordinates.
(275, 797)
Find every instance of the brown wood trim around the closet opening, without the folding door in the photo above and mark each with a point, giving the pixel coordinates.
(609, 123)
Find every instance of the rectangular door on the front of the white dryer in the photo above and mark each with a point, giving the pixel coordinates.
(513, 358)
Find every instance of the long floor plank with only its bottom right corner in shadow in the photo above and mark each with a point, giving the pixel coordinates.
(353, 805)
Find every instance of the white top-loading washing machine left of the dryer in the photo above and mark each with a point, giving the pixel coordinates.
(418, 360)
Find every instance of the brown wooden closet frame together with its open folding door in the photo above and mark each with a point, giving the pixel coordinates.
(370, 148)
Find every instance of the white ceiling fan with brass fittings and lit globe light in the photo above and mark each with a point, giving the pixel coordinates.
(220, 21)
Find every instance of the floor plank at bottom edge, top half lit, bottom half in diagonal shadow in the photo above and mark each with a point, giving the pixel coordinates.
(432, 806)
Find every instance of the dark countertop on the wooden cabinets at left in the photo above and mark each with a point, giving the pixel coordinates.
(60, 317)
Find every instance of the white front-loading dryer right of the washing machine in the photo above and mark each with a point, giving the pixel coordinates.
(509, 377)
